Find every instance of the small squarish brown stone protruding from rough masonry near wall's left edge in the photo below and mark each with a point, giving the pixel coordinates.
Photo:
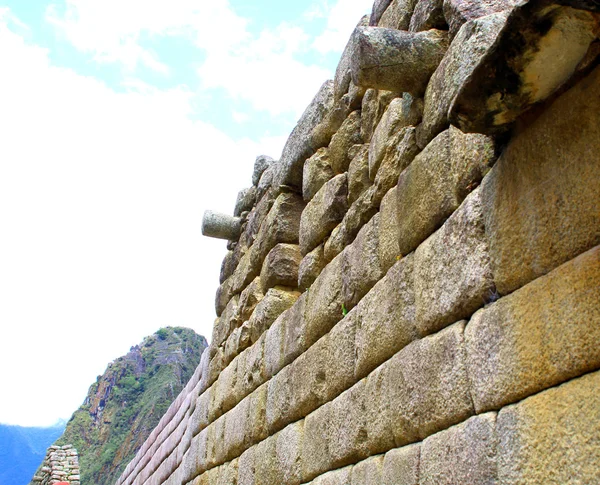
(281, 266)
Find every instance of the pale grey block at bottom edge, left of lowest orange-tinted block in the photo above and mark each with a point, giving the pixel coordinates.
(465, 453)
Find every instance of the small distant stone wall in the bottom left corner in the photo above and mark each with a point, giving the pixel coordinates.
(61, 466)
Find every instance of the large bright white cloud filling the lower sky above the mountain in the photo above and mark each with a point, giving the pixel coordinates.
(101, 199)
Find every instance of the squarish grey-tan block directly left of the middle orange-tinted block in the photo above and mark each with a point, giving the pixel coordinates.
(427, 386)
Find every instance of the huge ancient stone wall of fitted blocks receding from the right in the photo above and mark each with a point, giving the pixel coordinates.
(414, 294)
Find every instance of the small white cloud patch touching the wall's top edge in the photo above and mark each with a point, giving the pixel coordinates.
(342, 17)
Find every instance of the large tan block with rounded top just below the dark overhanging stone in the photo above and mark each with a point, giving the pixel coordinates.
(437, 181)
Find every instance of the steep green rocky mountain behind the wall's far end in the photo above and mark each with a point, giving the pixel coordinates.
(128, 400)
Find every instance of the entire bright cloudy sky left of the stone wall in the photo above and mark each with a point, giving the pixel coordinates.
(121, 122)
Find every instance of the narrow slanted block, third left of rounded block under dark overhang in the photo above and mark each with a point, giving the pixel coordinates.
(324, 302)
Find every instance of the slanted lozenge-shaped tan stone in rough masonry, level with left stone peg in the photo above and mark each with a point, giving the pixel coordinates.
(323, 213)
